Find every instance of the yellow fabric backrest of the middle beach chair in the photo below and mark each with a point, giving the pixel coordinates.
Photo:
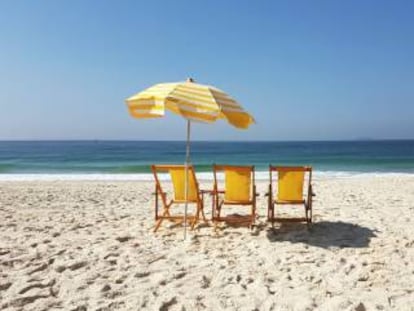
(238, 182)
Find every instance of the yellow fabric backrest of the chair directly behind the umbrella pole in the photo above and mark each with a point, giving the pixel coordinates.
(177, 174)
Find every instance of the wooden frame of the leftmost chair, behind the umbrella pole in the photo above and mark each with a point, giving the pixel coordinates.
(166, 204)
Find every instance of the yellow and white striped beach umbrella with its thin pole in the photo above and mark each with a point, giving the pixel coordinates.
(194, 102)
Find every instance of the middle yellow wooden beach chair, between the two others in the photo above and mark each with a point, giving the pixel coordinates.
(239, 189)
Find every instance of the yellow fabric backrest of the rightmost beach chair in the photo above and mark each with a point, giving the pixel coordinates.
(290, 181)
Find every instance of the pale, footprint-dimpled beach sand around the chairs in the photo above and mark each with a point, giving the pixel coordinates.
(71, 245)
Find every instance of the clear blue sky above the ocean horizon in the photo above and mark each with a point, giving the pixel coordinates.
(305, 69)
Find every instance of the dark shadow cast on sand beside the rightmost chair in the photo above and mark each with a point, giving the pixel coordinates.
(325, 234)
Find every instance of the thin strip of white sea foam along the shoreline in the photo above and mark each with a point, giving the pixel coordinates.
(260, 176)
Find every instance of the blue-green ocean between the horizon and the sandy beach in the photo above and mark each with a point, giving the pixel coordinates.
(131, 159)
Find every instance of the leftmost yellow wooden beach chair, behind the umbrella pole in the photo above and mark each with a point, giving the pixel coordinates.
(195, 196)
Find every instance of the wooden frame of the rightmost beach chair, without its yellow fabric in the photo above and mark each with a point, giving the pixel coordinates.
(307, 201)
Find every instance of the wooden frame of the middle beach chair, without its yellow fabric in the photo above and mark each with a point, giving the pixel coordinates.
(217, 202)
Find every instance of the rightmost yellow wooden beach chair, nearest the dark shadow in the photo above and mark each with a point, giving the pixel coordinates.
(290, 191)
